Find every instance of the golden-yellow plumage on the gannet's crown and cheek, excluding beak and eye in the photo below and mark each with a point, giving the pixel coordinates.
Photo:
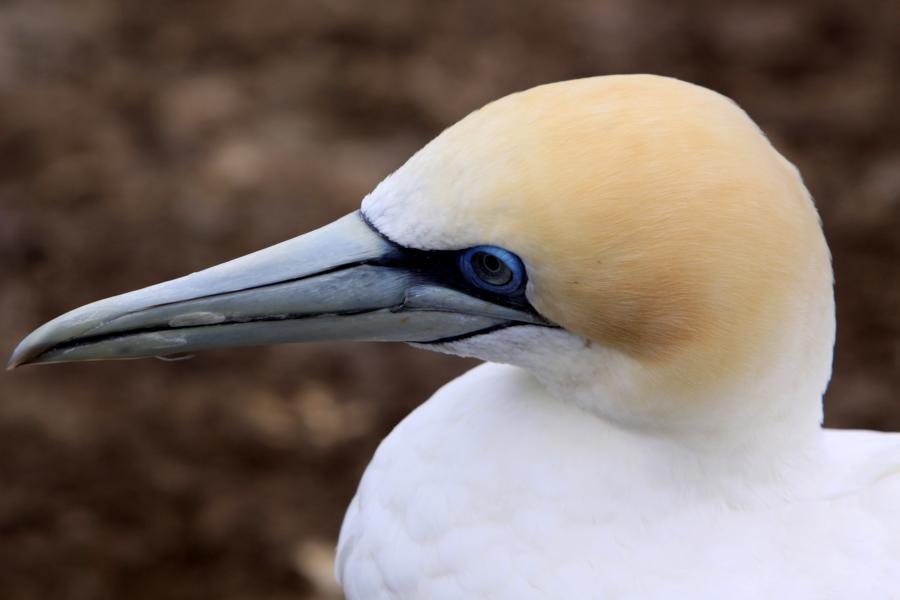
(653, 216)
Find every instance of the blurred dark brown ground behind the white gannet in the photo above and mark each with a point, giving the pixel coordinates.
(143, 140)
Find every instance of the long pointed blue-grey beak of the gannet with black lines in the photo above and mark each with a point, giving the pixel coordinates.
(341, 282)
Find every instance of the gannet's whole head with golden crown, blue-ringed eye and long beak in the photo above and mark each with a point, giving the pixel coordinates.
(635, 237)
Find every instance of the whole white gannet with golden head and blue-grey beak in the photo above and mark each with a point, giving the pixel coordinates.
(646, 280)
